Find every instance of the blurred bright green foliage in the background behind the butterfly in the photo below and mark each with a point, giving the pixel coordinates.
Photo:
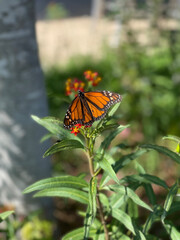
(147, 74)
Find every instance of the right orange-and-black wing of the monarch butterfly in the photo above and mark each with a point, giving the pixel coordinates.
(99, 102)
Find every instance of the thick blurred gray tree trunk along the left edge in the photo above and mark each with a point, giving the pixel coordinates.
(22, 93)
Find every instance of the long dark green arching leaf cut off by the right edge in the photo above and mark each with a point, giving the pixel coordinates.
(174, 156)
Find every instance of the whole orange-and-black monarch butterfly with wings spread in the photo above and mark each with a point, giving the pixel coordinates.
(88, 107)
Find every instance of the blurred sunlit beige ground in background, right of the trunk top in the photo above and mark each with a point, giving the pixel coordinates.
(58, 40)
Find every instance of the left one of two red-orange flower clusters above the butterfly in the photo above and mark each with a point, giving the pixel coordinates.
(73, 85)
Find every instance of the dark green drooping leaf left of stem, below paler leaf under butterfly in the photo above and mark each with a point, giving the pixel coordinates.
(63, 145)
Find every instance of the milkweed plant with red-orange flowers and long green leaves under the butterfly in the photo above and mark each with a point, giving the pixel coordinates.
(112, 203)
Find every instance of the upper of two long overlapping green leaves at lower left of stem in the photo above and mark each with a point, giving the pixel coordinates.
(55, 182)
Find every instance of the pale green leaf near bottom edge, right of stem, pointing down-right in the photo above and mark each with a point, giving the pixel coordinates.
(123, 218)
